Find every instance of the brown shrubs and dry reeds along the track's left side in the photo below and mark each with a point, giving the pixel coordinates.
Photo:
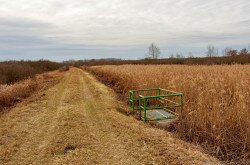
(19, 79)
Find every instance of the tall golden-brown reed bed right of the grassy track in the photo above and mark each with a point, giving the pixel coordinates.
(217, 101)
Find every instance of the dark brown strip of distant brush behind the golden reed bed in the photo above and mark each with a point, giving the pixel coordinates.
(241, 58)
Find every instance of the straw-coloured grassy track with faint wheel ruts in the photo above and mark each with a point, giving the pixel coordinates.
(77, 122)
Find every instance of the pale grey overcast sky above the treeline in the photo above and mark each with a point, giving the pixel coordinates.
(85, 29)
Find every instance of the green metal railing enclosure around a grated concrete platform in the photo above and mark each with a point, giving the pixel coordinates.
(156, 104)
